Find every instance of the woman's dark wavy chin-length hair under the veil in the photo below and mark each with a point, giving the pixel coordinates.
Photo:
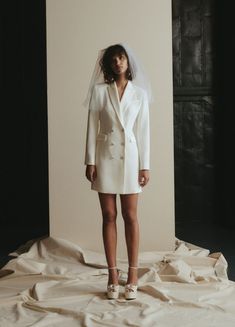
(105, 63)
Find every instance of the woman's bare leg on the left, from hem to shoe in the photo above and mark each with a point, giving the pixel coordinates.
(109, 232)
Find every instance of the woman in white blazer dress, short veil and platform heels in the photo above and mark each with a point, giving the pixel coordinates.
(117, 153)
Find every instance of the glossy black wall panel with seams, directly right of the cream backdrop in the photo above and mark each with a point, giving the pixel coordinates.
(193, 56)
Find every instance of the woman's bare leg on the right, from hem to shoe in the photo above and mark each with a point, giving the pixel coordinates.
(129, 213)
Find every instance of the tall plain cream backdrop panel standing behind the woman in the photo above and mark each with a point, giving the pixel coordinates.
(76, 30)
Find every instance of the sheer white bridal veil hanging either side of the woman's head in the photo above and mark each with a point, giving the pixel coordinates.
(139, 76)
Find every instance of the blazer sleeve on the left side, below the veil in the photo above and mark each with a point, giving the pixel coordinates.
(92, 128)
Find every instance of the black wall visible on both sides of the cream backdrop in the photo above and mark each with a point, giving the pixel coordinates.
(203, 53)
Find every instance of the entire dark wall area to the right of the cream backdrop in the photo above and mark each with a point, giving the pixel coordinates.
(203, 63)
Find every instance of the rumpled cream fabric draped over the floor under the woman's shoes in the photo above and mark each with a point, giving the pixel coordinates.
(53, 282)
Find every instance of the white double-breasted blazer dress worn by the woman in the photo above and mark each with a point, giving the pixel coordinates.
(118, 137)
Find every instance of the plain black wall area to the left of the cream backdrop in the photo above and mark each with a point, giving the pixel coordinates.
(24, 159)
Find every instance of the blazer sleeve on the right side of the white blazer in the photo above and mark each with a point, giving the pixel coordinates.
(143, 134)
